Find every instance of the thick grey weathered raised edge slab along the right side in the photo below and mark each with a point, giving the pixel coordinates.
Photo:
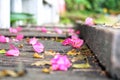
(104, 42)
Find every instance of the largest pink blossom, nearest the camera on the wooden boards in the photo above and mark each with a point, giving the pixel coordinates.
(60, 62)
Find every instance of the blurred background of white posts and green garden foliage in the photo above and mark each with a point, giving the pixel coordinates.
(40, 12)
